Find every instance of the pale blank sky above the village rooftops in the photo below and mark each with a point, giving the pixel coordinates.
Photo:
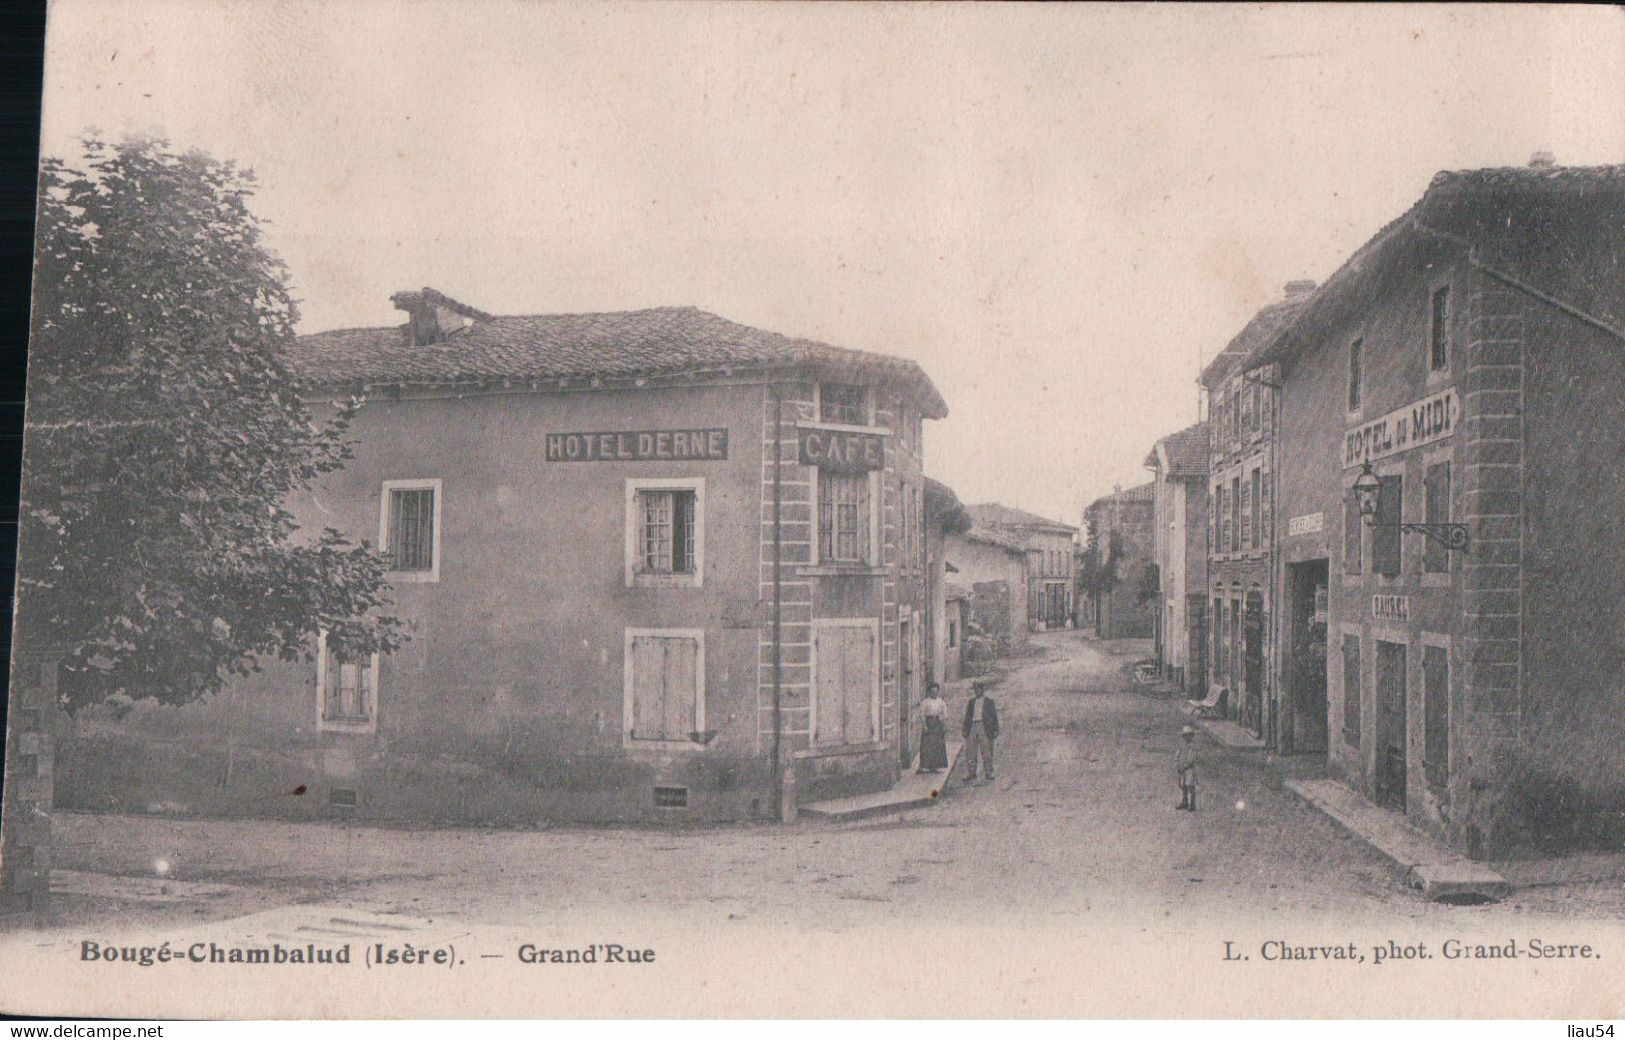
(1059, 212)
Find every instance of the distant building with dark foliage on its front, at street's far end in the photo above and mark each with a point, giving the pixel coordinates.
(1122, 529)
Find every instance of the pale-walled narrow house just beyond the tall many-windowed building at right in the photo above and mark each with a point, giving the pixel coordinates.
(1179, 464)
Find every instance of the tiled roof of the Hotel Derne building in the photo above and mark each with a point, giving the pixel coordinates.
(550, 347)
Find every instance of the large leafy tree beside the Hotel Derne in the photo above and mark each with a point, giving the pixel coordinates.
(165, 438)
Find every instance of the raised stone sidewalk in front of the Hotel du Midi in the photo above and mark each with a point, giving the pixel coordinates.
(1439, 873)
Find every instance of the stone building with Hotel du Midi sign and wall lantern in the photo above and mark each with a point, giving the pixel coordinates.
(1455, 409)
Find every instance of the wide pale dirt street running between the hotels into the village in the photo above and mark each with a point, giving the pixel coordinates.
(1080, 825)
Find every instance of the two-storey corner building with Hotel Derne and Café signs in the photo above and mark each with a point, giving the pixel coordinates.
(656, 566)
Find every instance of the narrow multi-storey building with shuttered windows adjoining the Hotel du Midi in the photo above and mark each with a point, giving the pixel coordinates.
(1242, 417)
